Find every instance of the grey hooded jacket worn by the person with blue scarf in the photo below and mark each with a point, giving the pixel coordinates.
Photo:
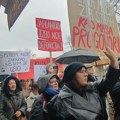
(38, 111)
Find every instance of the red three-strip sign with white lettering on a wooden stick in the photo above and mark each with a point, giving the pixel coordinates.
(49, 35)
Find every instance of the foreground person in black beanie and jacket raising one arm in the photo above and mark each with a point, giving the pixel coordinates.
(79, 100)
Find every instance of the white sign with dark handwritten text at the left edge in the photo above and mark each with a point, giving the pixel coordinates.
(14, 61)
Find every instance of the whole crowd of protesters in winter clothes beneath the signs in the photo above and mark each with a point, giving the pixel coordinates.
(79, 95)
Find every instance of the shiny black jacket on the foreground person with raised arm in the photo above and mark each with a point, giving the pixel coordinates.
(69, 105)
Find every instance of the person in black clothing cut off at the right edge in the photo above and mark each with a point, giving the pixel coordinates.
(115, 96)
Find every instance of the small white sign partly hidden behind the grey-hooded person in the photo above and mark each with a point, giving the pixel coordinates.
(39, 70)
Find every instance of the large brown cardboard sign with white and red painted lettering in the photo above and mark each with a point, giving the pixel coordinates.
(93, 25)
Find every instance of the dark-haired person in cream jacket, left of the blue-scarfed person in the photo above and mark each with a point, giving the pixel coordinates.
(33, 94)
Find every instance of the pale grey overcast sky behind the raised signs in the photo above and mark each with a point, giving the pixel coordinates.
(23, 34)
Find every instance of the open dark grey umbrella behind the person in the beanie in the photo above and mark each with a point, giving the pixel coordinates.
(84, 56)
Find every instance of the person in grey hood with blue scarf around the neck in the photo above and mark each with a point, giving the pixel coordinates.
(49, 87)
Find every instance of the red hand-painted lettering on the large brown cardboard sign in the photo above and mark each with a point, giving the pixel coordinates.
(99, 34)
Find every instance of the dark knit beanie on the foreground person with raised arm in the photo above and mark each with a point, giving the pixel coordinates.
(70, 71)
